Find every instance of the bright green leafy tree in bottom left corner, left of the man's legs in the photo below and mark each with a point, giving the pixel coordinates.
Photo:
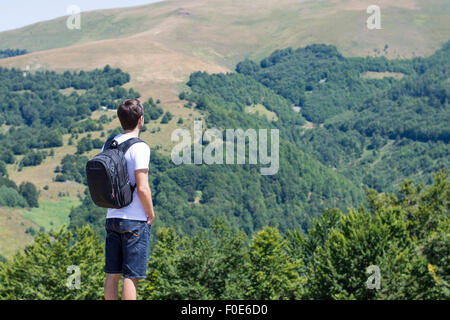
(41, 271)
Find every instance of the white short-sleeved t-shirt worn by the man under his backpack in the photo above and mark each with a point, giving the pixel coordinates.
(137, 157)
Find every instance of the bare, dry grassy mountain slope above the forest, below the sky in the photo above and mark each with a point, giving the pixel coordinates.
(161, 43)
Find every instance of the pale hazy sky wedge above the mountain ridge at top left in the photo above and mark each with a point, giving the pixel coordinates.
(18, 13)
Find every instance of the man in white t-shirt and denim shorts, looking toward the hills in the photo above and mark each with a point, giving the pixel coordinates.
(128, 228)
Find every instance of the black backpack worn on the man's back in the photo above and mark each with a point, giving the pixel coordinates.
(107, 175)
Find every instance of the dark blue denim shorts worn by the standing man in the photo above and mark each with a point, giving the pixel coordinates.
(126, 247)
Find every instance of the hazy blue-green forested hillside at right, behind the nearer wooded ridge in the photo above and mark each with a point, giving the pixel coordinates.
(376, 131)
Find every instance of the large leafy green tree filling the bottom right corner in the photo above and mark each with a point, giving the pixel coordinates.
(412, 257)
